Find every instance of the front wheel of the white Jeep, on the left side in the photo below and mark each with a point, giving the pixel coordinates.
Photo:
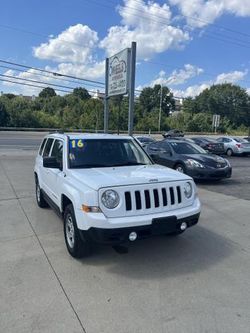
(77, 245)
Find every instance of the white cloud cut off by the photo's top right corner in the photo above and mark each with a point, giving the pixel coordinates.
(200, 13)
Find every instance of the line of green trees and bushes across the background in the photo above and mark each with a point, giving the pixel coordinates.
(78, 110)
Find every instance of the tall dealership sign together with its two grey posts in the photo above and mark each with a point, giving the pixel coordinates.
(120, 80)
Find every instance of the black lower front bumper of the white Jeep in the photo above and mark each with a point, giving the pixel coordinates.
(159, 226)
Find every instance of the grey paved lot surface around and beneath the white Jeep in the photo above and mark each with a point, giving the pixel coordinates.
(195, 283)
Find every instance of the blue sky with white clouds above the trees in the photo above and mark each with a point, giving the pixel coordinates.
(183, 44)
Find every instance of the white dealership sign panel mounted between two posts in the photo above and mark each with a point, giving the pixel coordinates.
(118, 73)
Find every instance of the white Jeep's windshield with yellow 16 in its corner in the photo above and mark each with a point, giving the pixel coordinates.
(91, 153)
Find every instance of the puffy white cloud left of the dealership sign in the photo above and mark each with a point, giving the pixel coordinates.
(74, 44)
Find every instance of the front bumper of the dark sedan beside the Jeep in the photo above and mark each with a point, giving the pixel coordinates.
(210, 173)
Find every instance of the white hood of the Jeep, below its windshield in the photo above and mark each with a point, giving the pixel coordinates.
(97, 178)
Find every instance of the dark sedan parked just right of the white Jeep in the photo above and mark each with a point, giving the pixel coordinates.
(190, 159)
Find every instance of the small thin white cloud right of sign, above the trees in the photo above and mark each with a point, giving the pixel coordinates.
(178, 77)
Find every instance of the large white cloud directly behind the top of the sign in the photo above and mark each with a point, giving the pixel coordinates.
(141, 23)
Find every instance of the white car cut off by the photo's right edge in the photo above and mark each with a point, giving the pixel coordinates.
(235, 146)
